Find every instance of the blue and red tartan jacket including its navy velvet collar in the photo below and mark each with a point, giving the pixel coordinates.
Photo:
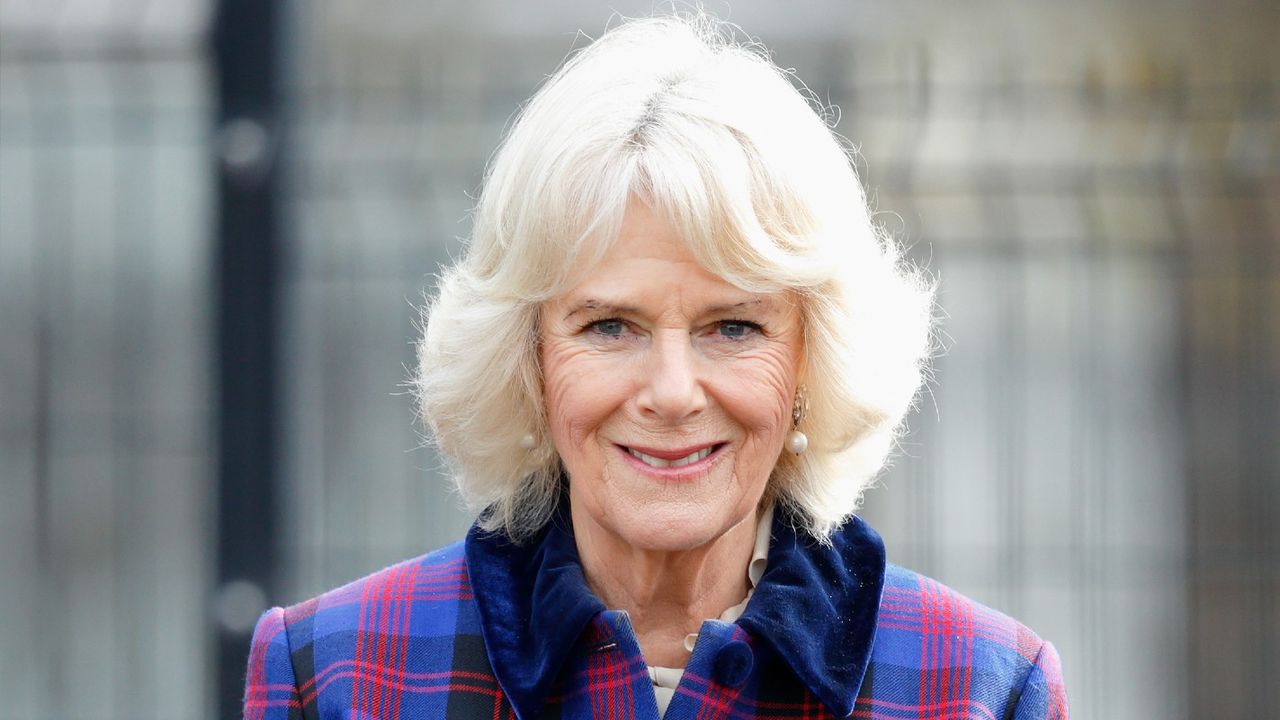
(486, 628)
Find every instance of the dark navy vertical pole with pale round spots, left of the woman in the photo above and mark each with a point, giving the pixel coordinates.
(248, 145)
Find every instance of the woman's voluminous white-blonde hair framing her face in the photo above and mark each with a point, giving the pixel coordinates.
(721, 143)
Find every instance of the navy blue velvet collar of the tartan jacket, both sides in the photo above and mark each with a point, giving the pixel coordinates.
(816, 607)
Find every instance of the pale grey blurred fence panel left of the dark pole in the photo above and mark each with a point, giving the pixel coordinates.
(106, 480)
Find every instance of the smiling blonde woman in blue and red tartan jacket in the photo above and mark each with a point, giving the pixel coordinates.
(673, 359)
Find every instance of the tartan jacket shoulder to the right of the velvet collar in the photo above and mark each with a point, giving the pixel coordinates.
(949, 649)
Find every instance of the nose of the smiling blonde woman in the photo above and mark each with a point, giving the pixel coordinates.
(673, 390)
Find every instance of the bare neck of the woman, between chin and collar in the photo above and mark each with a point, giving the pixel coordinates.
(668, 594)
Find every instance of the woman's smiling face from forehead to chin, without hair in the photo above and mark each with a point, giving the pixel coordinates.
(669, 391)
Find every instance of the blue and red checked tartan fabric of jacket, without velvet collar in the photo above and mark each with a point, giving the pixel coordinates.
(408, 644)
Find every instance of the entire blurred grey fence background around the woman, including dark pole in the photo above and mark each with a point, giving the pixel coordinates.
(217, 220)
